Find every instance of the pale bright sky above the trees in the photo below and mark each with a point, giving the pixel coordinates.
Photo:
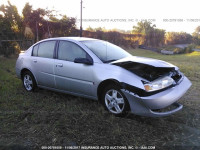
(171, 15)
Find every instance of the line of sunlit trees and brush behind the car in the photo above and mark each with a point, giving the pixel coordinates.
(40, 23)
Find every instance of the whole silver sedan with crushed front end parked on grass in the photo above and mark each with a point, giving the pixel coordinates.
(102, 71)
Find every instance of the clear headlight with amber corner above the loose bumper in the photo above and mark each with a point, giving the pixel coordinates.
(158, 84)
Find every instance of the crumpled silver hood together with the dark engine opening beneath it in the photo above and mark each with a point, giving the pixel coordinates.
(147, 68)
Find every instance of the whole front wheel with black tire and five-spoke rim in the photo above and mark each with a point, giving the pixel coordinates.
(114, 100)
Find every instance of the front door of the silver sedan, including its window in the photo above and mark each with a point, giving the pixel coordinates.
(70, 76)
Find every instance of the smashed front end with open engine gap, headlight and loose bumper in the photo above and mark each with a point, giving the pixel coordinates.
(163, 86)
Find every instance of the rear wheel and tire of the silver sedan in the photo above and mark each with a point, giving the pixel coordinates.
(29, 82)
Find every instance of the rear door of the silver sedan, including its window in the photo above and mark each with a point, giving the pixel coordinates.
(43, 63)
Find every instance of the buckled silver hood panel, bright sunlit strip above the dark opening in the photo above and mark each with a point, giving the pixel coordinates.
(143, 60)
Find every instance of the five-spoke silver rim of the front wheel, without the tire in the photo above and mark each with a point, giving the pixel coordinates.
(114, 101)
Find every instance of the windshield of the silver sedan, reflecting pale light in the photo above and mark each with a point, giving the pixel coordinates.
(106, 51)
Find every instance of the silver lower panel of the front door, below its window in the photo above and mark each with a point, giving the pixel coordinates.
(69, 78)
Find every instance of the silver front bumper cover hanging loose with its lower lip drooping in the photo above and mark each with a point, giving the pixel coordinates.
(145, 106)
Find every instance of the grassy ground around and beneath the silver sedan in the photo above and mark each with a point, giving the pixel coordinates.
(46, 118)
